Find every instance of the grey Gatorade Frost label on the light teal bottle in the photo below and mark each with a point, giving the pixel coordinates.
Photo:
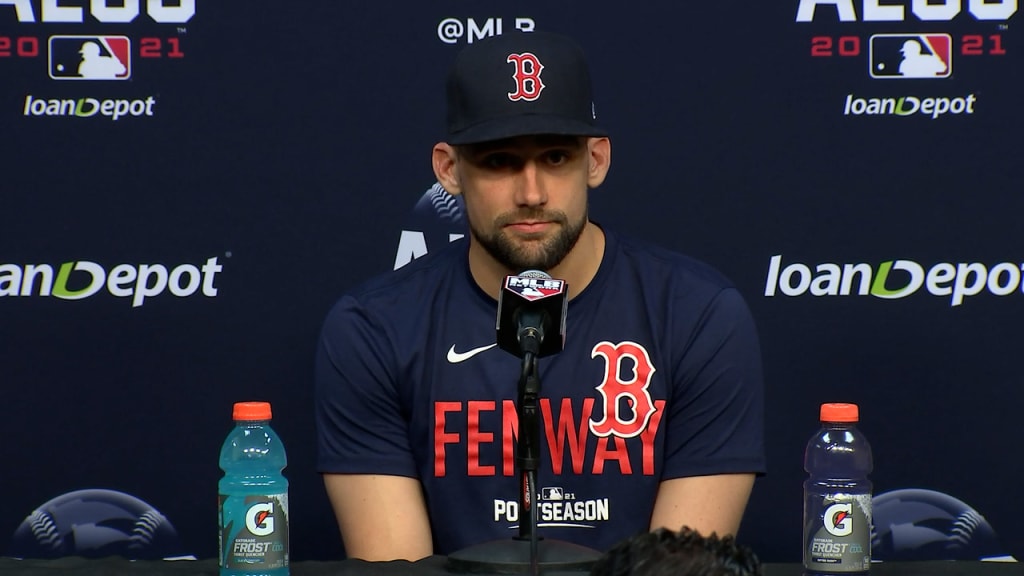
(254, 532)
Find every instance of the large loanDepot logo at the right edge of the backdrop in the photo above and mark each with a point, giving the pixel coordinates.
(893, 279)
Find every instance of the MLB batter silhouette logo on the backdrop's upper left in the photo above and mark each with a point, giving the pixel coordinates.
(91, 58)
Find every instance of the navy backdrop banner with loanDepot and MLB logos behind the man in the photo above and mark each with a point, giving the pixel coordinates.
(188, 186)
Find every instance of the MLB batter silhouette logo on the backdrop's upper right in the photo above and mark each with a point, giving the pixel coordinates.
(912, 56)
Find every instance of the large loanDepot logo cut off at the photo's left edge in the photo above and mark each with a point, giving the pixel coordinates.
(82, 279)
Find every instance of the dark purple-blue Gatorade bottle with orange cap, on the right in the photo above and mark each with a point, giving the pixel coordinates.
(838, 496)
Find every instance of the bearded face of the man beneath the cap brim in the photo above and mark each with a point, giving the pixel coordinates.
(526, 198)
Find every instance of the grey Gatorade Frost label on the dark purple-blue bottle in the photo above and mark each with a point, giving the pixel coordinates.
(838, 533)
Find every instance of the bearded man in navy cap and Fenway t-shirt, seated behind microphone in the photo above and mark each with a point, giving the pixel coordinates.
(652, 414)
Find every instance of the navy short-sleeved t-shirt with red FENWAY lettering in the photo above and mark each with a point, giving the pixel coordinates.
(660, 379)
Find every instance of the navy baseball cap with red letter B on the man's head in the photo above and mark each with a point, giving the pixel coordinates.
(519, 85)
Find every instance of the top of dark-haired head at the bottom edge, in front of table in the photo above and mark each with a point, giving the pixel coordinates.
(665, 553)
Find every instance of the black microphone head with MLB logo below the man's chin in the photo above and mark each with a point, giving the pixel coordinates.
(532, 311)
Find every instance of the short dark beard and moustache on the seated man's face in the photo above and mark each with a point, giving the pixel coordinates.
(544, 256)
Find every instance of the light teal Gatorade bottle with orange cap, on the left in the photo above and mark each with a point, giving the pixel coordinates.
(253, 497)
